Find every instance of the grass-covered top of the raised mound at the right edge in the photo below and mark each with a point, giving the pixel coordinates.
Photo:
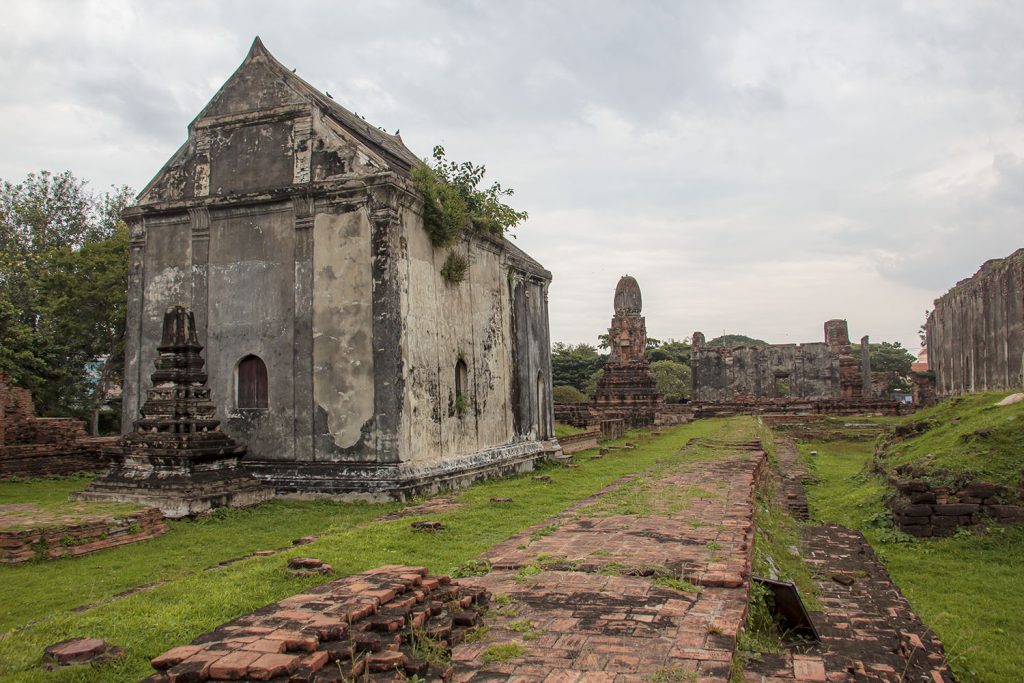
(968, 439)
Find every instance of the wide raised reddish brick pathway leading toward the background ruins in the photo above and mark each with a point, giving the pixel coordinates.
(591, 594)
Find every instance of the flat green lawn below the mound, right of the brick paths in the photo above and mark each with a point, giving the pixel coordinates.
(967, 588)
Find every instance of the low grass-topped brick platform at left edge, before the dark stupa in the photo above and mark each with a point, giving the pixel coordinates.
(28, 534)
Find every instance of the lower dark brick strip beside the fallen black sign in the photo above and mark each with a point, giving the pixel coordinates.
(868, 629)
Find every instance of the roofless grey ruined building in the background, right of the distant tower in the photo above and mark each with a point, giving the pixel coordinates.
(821, 371)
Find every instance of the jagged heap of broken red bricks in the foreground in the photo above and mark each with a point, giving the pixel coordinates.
(366, 627)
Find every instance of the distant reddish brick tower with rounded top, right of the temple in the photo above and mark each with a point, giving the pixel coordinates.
(627, 383)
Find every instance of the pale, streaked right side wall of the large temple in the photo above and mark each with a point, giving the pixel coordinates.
(472, 322)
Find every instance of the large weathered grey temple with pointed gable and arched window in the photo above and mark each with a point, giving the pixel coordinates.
(336, 351)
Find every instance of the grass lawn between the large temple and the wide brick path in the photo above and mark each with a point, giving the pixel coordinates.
(192, 595)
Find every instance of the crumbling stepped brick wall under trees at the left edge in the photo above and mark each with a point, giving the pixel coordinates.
(42, 447)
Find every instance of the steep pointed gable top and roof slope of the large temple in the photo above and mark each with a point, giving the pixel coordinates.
(263, 83)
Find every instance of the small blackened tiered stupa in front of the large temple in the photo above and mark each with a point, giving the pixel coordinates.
(177, 458)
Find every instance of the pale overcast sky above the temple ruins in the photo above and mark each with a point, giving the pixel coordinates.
(760, 167)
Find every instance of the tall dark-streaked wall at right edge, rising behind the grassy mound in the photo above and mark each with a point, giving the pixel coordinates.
(976, 331)
